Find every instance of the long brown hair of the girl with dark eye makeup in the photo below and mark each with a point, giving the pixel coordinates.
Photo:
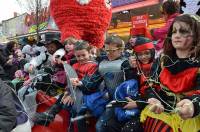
(194, 22)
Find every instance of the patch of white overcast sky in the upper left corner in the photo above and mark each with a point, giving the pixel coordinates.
(7, 7)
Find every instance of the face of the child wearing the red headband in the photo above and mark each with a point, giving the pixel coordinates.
(144, 56)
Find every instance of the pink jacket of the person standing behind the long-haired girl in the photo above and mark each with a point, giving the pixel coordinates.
(160, 33)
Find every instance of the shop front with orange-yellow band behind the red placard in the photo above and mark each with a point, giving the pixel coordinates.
(125, 10)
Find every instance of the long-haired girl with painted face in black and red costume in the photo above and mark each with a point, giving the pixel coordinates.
(175, 105)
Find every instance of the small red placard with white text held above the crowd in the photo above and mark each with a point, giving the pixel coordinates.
(139, 21)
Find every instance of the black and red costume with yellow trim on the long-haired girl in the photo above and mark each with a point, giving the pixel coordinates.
(178, 80)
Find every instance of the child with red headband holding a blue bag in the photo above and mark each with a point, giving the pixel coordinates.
(142, 61)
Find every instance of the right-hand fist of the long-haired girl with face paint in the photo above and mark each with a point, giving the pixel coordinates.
(185, 108)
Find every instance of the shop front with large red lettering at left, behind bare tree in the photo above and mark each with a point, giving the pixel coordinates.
(25, 25)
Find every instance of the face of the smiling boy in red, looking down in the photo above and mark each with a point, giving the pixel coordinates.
(82, 56)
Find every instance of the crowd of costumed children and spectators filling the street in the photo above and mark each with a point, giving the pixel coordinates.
(155, 87)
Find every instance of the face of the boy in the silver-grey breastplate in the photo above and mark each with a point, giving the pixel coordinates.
(113, 51)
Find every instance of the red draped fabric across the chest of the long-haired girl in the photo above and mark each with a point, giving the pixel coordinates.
(180, 82)
